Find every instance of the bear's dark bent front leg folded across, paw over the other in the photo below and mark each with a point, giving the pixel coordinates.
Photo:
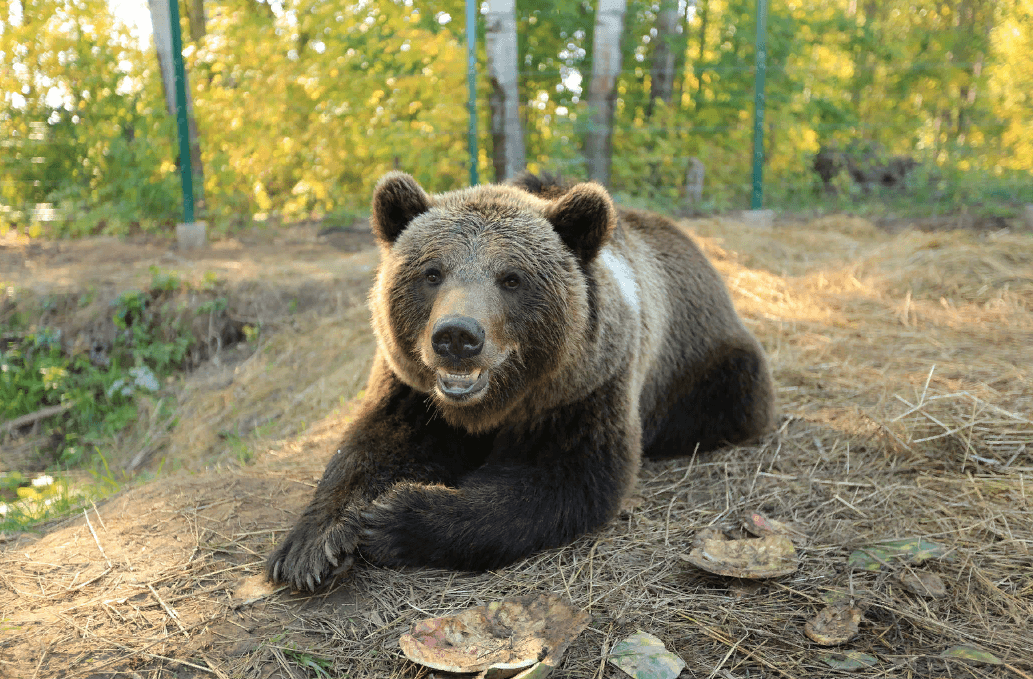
(541, 488)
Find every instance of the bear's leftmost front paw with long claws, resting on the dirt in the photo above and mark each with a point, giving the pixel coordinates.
(311, 552)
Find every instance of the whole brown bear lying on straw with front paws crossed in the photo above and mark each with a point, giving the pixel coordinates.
(535, 343)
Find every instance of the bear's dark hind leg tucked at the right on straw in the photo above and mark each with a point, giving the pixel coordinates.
(731, 402)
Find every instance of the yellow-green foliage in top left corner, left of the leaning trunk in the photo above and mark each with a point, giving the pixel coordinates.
(82, 120)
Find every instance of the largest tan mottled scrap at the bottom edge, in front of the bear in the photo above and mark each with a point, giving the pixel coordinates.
(530, 632)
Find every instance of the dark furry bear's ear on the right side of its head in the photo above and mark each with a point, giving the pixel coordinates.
(584, 218)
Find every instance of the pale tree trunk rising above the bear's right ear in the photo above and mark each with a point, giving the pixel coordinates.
(607, 59)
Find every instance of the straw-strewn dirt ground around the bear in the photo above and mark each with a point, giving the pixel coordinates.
(902, 363)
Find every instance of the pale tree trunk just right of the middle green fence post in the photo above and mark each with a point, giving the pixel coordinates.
(508, 132)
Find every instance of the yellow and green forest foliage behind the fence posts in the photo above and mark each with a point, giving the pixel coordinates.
(301, 106)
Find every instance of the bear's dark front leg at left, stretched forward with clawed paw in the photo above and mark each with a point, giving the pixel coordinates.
(394, 439)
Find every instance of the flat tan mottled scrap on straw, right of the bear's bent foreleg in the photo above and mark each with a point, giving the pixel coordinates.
(770, 557)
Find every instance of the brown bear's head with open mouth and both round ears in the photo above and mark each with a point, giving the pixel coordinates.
(482, 294)
